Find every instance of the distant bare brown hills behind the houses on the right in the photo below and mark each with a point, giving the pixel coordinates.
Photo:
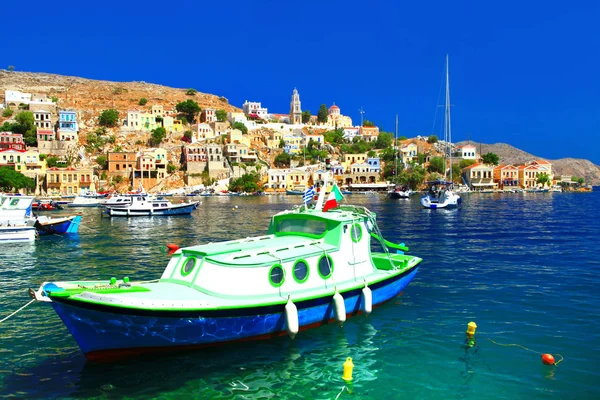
(565, 166)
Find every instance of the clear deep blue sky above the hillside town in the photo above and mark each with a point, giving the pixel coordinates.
(522, 72)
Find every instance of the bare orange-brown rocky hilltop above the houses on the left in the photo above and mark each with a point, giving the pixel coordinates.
(90, 97)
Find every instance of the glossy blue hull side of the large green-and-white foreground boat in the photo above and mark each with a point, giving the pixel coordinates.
(104, 333)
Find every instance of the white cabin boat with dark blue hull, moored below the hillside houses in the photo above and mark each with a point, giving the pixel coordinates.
(142, 206)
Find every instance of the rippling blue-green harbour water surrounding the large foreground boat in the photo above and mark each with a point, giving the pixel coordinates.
(524, 267)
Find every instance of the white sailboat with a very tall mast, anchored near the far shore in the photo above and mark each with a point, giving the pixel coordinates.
(440, 193)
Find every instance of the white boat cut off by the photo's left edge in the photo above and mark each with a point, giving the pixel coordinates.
(15, 213)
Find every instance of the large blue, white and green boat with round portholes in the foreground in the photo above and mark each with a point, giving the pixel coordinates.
(313, 267)
